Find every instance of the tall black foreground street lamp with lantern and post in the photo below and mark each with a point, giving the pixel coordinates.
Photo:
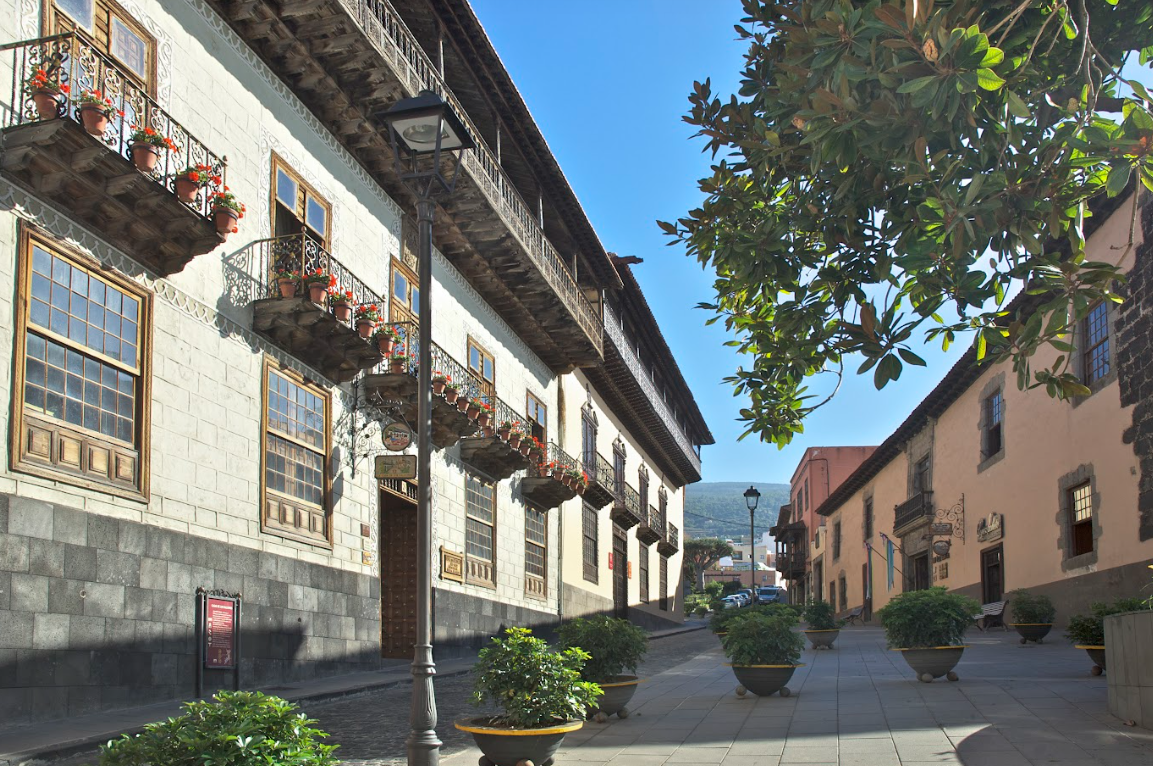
(423, 130)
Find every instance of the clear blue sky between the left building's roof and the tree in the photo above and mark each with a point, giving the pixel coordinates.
(608, 84)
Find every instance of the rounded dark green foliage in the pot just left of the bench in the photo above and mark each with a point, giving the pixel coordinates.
(928, 619)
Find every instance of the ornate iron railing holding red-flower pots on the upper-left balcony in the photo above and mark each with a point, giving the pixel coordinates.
(76, 69)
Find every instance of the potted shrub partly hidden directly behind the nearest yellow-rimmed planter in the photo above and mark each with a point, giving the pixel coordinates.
(616, 648)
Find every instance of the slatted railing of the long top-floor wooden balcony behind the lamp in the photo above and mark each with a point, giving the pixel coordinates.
(389, 34)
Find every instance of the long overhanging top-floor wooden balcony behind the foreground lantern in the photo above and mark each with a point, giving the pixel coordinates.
(348, 61)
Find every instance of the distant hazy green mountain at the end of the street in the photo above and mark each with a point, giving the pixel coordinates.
(724, 505)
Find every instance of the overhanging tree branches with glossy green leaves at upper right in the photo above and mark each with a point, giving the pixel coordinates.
(892, 171)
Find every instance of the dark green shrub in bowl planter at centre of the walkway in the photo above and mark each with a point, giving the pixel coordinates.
(764, 652)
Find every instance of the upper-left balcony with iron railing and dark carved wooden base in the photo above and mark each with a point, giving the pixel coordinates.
(93, 178)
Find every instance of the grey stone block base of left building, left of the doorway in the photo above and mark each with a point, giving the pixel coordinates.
(99, 614)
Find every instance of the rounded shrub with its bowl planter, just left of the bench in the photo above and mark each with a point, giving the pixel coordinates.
(929, 629)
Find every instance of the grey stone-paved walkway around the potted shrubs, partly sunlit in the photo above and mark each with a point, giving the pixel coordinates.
(860, 705)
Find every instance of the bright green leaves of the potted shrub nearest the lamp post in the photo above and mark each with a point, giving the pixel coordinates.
(533, 686)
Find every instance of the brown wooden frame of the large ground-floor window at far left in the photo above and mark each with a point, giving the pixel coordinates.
(58, 431)
